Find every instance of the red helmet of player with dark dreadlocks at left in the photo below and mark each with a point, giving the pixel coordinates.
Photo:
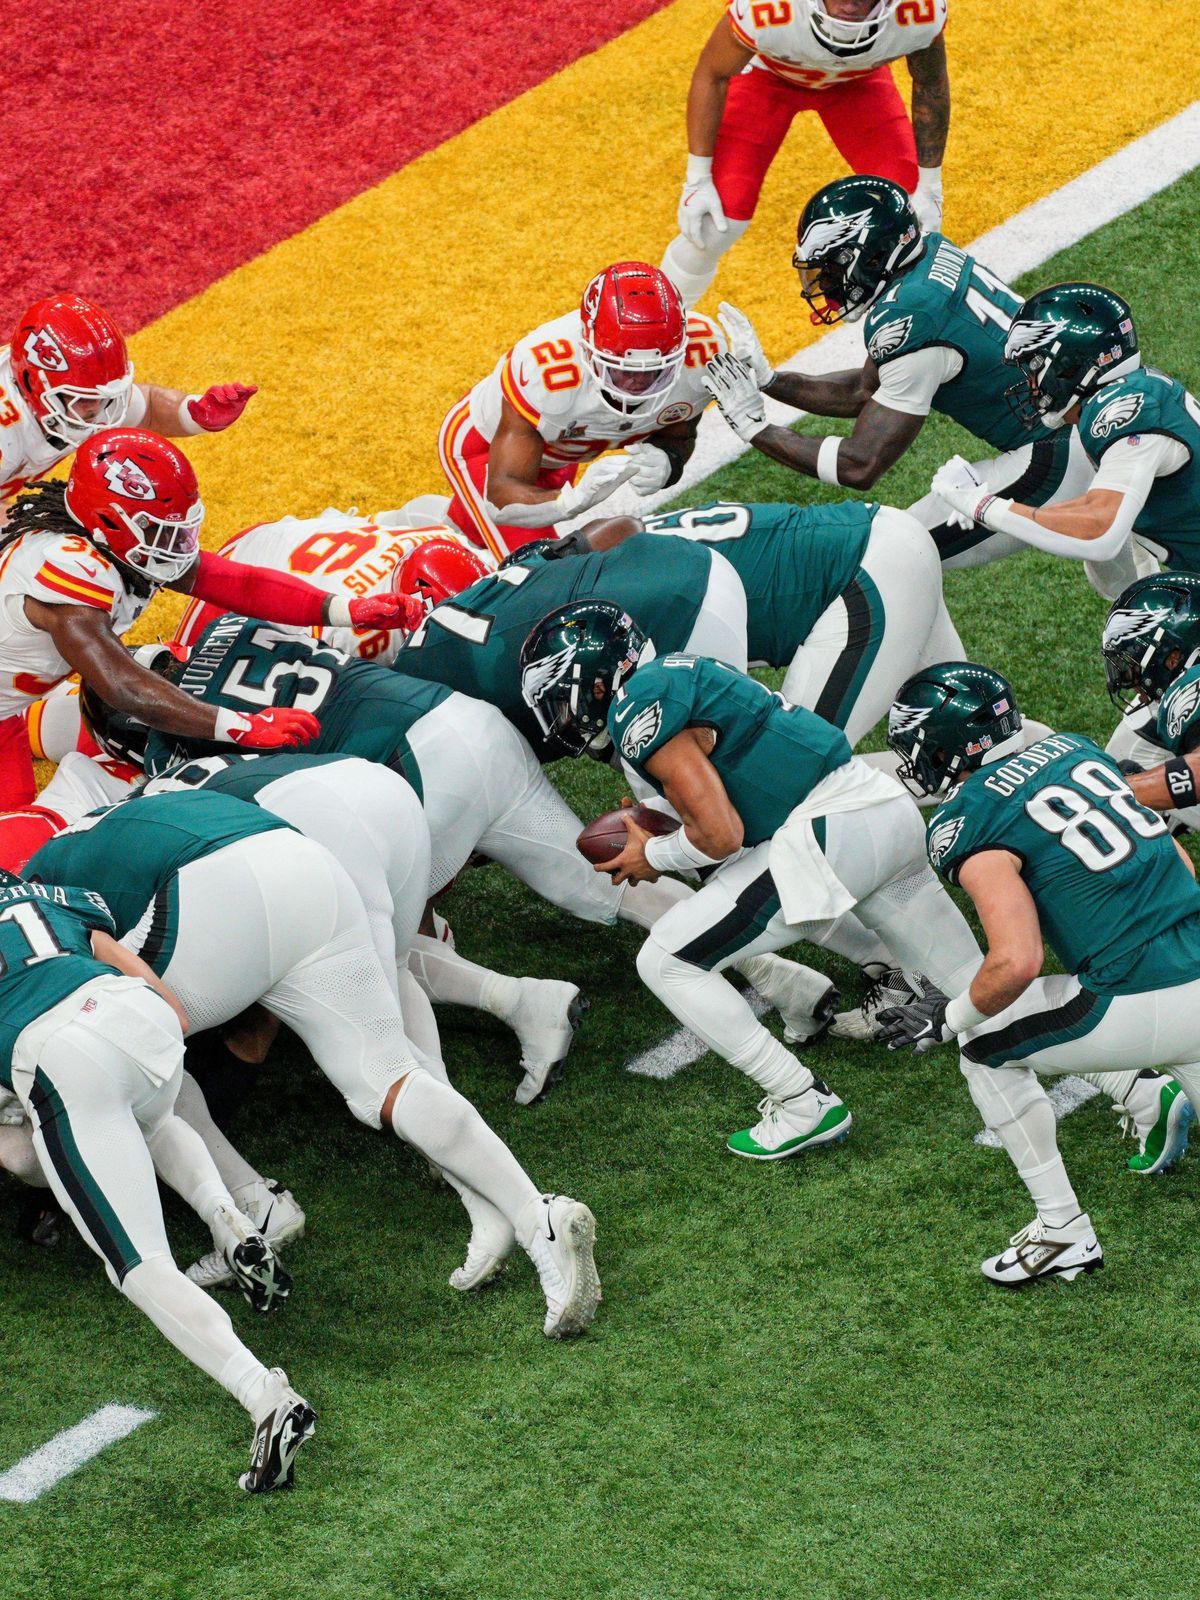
(135, 495)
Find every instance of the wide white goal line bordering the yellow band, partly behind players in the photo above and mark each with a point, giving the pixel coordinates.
(1114, 186)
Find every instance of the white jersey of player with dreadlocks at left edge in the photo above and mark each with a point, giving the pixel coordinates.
(60, 570)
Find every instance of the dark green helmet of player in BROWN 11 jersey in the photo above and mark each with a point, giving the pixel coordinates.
(855, 238)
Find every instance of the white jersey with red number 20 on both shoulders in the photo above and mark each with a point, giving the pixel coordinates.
(548, 382)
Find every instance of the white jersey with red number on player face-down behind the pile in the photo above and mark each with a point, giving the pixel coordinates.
(340, 553)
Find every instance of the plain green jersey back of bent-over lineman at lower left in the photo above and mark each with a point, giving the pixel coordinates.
(132, 854)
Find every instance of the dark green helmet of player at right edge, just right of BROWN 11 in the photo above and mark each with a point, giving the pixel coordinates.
(1068, 342)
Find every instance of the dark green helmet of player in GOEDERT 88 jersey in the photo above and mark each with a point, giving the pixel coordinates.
(948, 721)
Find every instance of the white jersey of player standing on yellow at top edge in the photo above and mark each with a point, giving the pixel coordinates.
(782, 34)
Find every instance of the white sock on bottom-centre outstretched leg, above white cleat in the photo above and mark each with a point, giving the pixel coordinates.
(446, 1127)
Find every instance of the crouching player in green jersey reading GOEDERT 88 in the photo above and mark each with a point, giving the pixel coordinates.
(1050, 844)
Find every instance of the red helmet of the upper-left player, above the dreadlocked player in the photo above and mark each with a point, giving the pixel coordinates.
(71, 366)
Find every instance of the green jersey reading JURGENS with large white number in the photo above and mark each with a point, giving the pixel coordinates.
(364, 710)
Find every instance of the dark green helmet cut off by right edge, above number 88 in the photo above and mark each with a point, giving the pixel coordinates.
(1151, 636)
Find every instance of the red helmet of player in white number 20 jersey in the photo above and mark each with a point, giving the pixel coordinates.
(636, 332)
